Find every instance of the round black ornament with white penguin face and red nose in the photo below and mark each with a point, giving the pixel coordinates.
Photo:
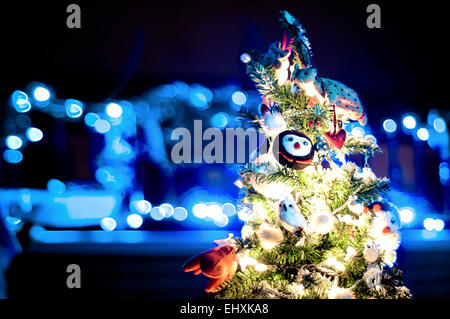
(293, 149)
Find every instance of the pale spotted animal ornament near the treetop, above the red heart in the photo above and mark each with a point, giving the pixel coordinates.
(331, 92)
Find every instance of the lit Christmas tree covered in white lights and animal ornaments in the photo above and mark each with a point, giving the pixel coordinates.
(317, 224)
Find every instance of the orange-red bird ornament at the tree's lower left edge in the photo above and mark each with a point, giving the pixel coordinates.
(219, 264)
